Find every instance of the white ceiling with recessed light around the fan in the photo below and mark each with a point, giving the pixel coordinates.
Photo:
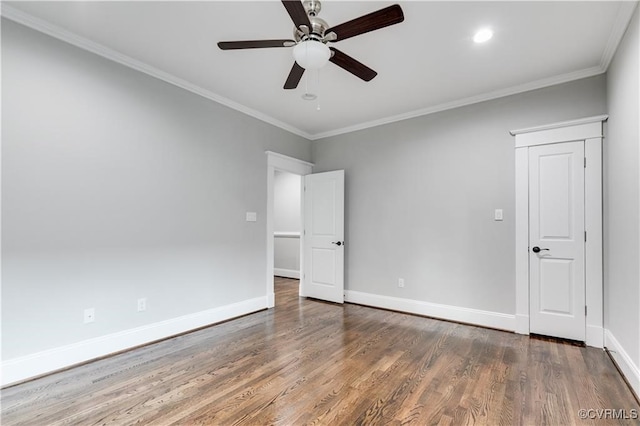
(425, 64)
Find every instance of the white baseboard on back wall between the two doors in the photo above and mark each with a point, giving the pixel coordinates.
(453, 313)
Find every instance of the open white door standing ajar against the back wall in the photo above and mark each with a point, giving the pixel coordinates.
(324, 237)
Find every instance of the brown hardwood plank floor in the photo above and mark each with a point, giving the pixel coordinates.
(310, 362)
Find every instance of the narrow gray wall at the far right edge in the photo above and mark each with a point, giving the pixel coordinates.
(622, 197)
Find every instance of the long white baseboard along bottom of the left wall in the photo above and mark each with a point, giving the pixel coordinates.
(25, 367)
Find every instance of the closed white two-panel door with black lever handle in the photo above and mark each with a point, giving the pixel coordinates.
(557, 240)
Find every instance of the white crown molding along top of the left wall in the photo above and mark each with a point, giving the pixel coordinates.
(113, 55)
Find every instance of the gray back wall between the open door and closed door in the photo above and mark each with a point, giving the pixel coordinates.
(421, 194)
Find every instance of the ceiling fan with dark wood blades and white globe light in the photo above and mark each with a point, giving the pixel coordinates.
(312, 34)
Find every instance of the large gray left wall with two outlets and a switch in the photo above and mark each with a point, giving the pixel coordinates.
(117, 186)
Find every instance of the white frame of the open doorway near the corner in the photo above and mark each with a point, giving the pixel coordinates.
(281, 163)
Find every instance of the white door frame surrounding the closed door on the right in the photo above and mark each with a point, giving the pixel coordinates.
(589, 130)
